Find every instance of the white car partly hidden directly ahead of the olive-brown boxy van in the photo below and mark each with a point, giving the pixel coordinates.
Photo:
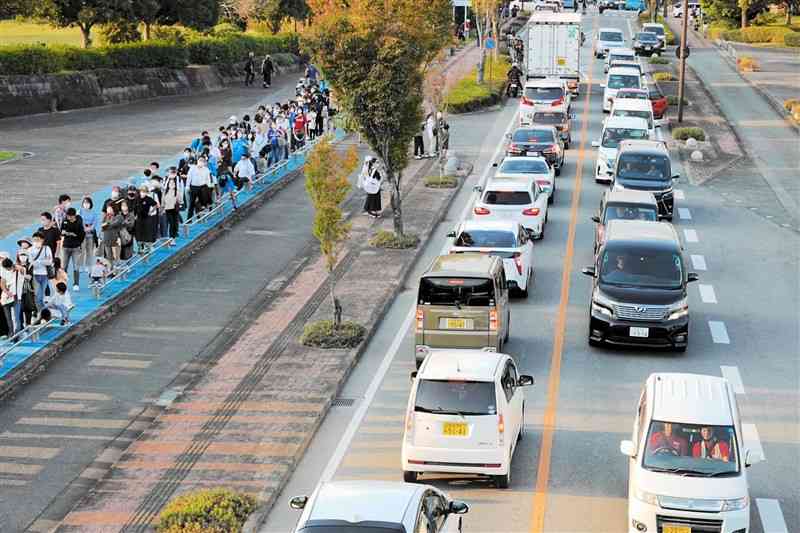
(505, 239)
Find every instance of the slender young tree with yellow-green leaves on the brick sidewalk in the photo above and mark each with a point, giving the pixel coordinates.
(327, 184)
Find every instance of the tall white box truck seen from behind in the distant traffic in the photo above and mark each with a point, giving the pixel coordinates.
(554, 48)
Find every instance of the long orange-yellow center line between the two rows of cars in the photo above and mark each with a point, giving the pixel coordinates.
(554, 380)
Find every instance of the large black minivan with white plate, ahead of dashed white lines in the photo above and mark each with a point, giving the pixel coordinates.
(639, 293)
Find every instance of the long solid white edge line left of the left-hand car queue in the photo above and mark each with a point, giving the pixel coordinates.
(372, 390)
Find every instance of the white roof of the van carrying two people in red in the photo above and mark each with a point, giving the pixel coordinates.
(691, 399)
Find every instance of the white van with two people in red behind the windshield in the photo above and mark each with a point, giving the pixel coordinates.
(687, 467)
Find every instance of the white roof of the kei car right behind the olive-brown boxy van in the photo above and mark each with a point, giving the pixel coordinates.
(473, 365)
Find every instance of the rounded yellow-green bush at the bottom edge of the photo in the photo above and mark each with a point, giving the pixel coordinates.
(206, 511)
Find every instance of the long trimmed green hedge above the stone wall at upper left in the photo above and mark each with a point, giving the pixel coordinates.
(230, 48)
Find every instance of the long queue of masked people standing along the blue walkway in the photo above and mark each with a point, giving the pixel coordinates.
(85, 239)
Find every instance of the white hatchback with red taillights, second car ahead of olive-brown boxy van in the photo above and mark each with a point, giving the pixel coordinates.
(520, 200)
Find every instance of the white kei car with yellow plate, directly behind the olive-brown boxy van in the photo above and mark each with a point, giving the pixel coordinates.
(465, 415)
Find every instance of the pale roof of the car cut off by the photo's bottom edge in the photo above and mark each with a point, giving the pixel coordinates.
(359, 501)
